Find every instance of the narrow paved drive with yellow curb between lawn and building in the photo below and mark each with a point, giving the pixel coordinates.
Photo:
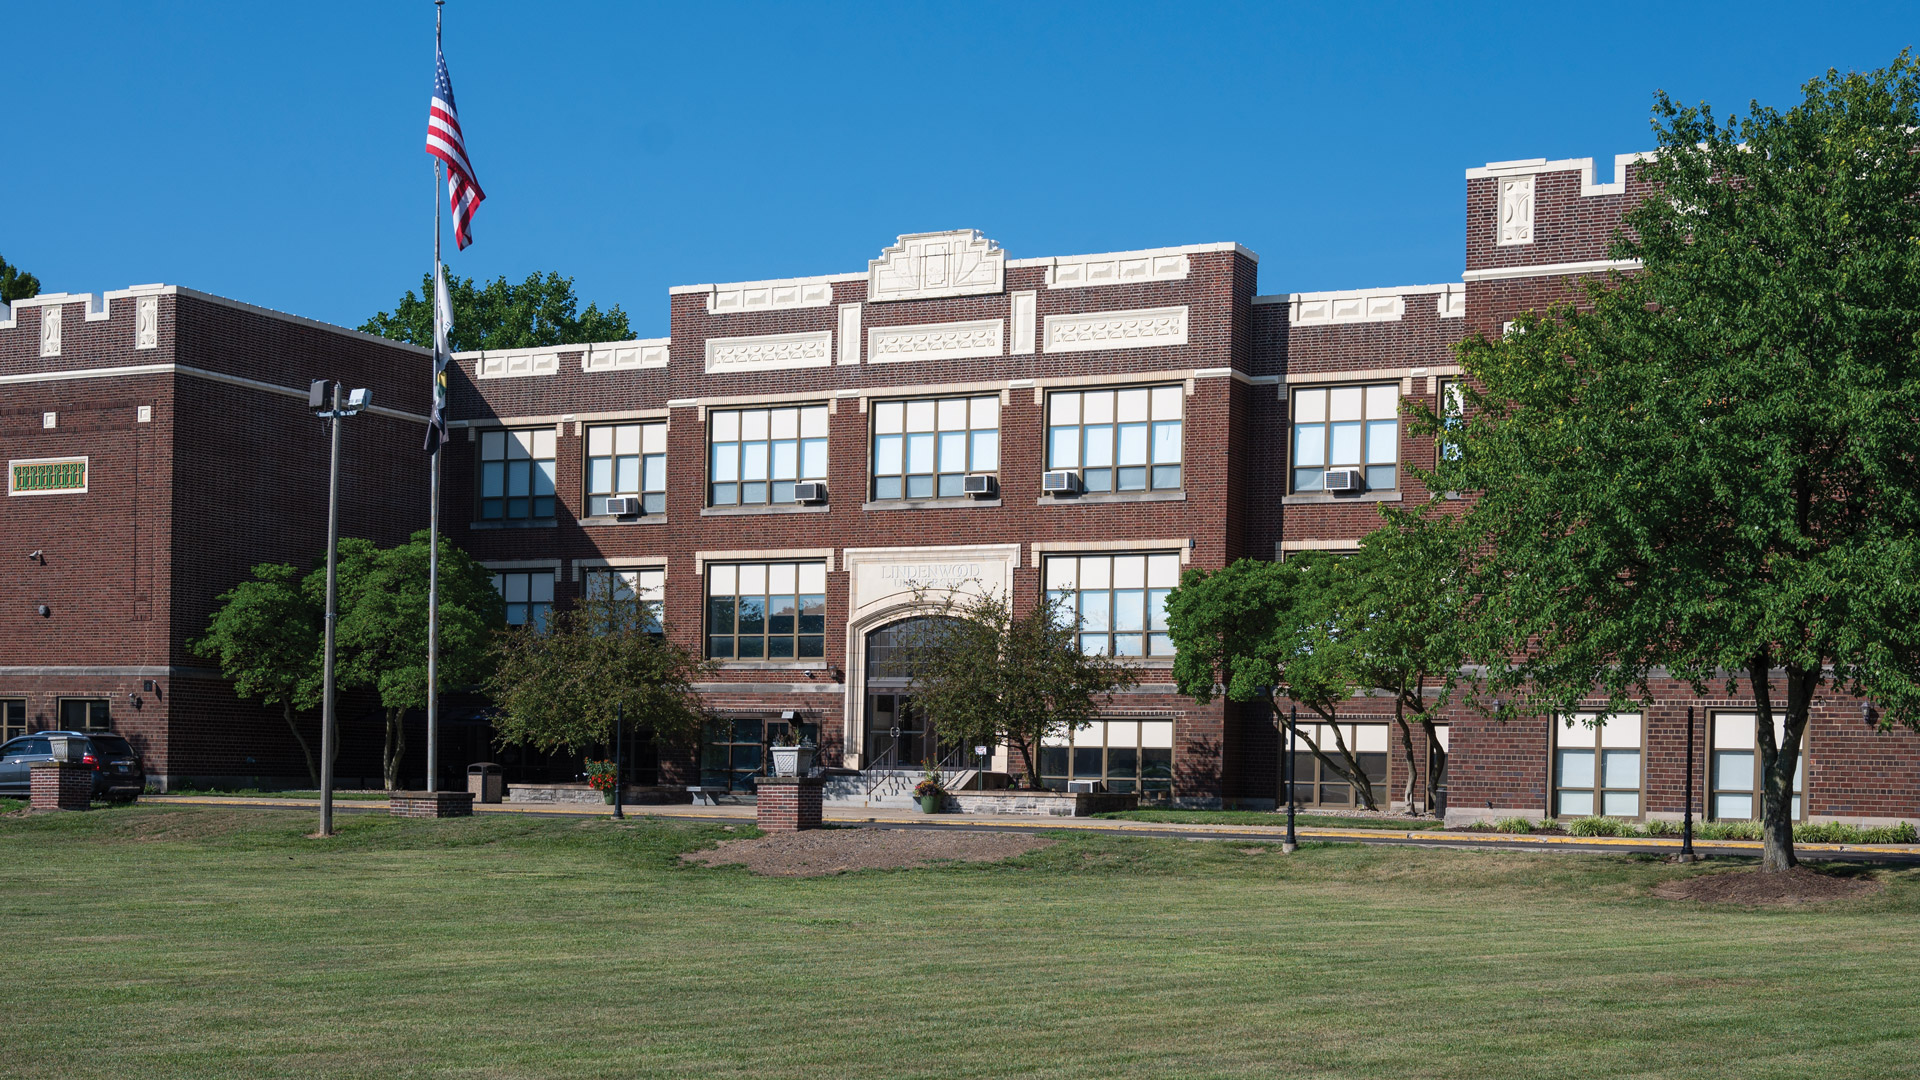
(1024, 823)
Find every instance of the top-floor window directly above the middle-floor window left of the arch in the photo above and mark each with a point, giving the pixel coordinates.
(756, 456)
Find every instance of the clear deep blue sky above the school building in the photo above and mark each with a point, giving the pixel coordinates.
(274, 153)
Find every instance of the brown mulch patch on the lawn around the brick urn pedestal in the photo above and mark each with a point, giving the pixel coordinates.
(823, 852)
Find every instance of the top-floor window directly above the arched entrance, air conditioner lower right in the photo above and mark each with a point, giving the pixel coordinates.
(926, 449)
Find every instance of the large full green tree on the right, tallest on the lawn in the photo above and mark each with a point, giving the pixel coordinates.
(1716, 470)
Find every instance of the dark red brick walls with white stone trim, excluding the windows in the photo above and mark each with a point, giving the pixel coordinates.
(229, 470)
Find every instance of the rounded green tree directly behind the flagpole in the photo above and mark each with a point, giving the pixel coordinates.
(381, 639)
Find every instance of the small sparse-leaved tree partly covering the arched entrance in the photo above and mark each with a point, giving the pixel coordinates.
(986, 675)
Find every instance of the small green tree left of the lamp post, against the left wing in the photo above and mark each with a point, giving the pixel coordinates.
(266, 637)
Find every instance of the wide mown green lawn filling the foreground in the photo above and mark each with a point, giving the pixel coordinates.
(220, 943)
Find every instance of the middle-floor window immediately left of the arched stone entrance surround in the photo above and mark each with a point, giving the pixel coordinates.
(767, 610)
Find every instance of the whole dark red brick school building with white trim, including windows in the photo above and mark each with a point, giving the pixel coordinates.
(798, 458)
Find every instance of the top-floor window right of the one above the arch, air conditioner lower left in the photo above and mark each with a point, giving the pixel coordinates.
(1120, 441)
